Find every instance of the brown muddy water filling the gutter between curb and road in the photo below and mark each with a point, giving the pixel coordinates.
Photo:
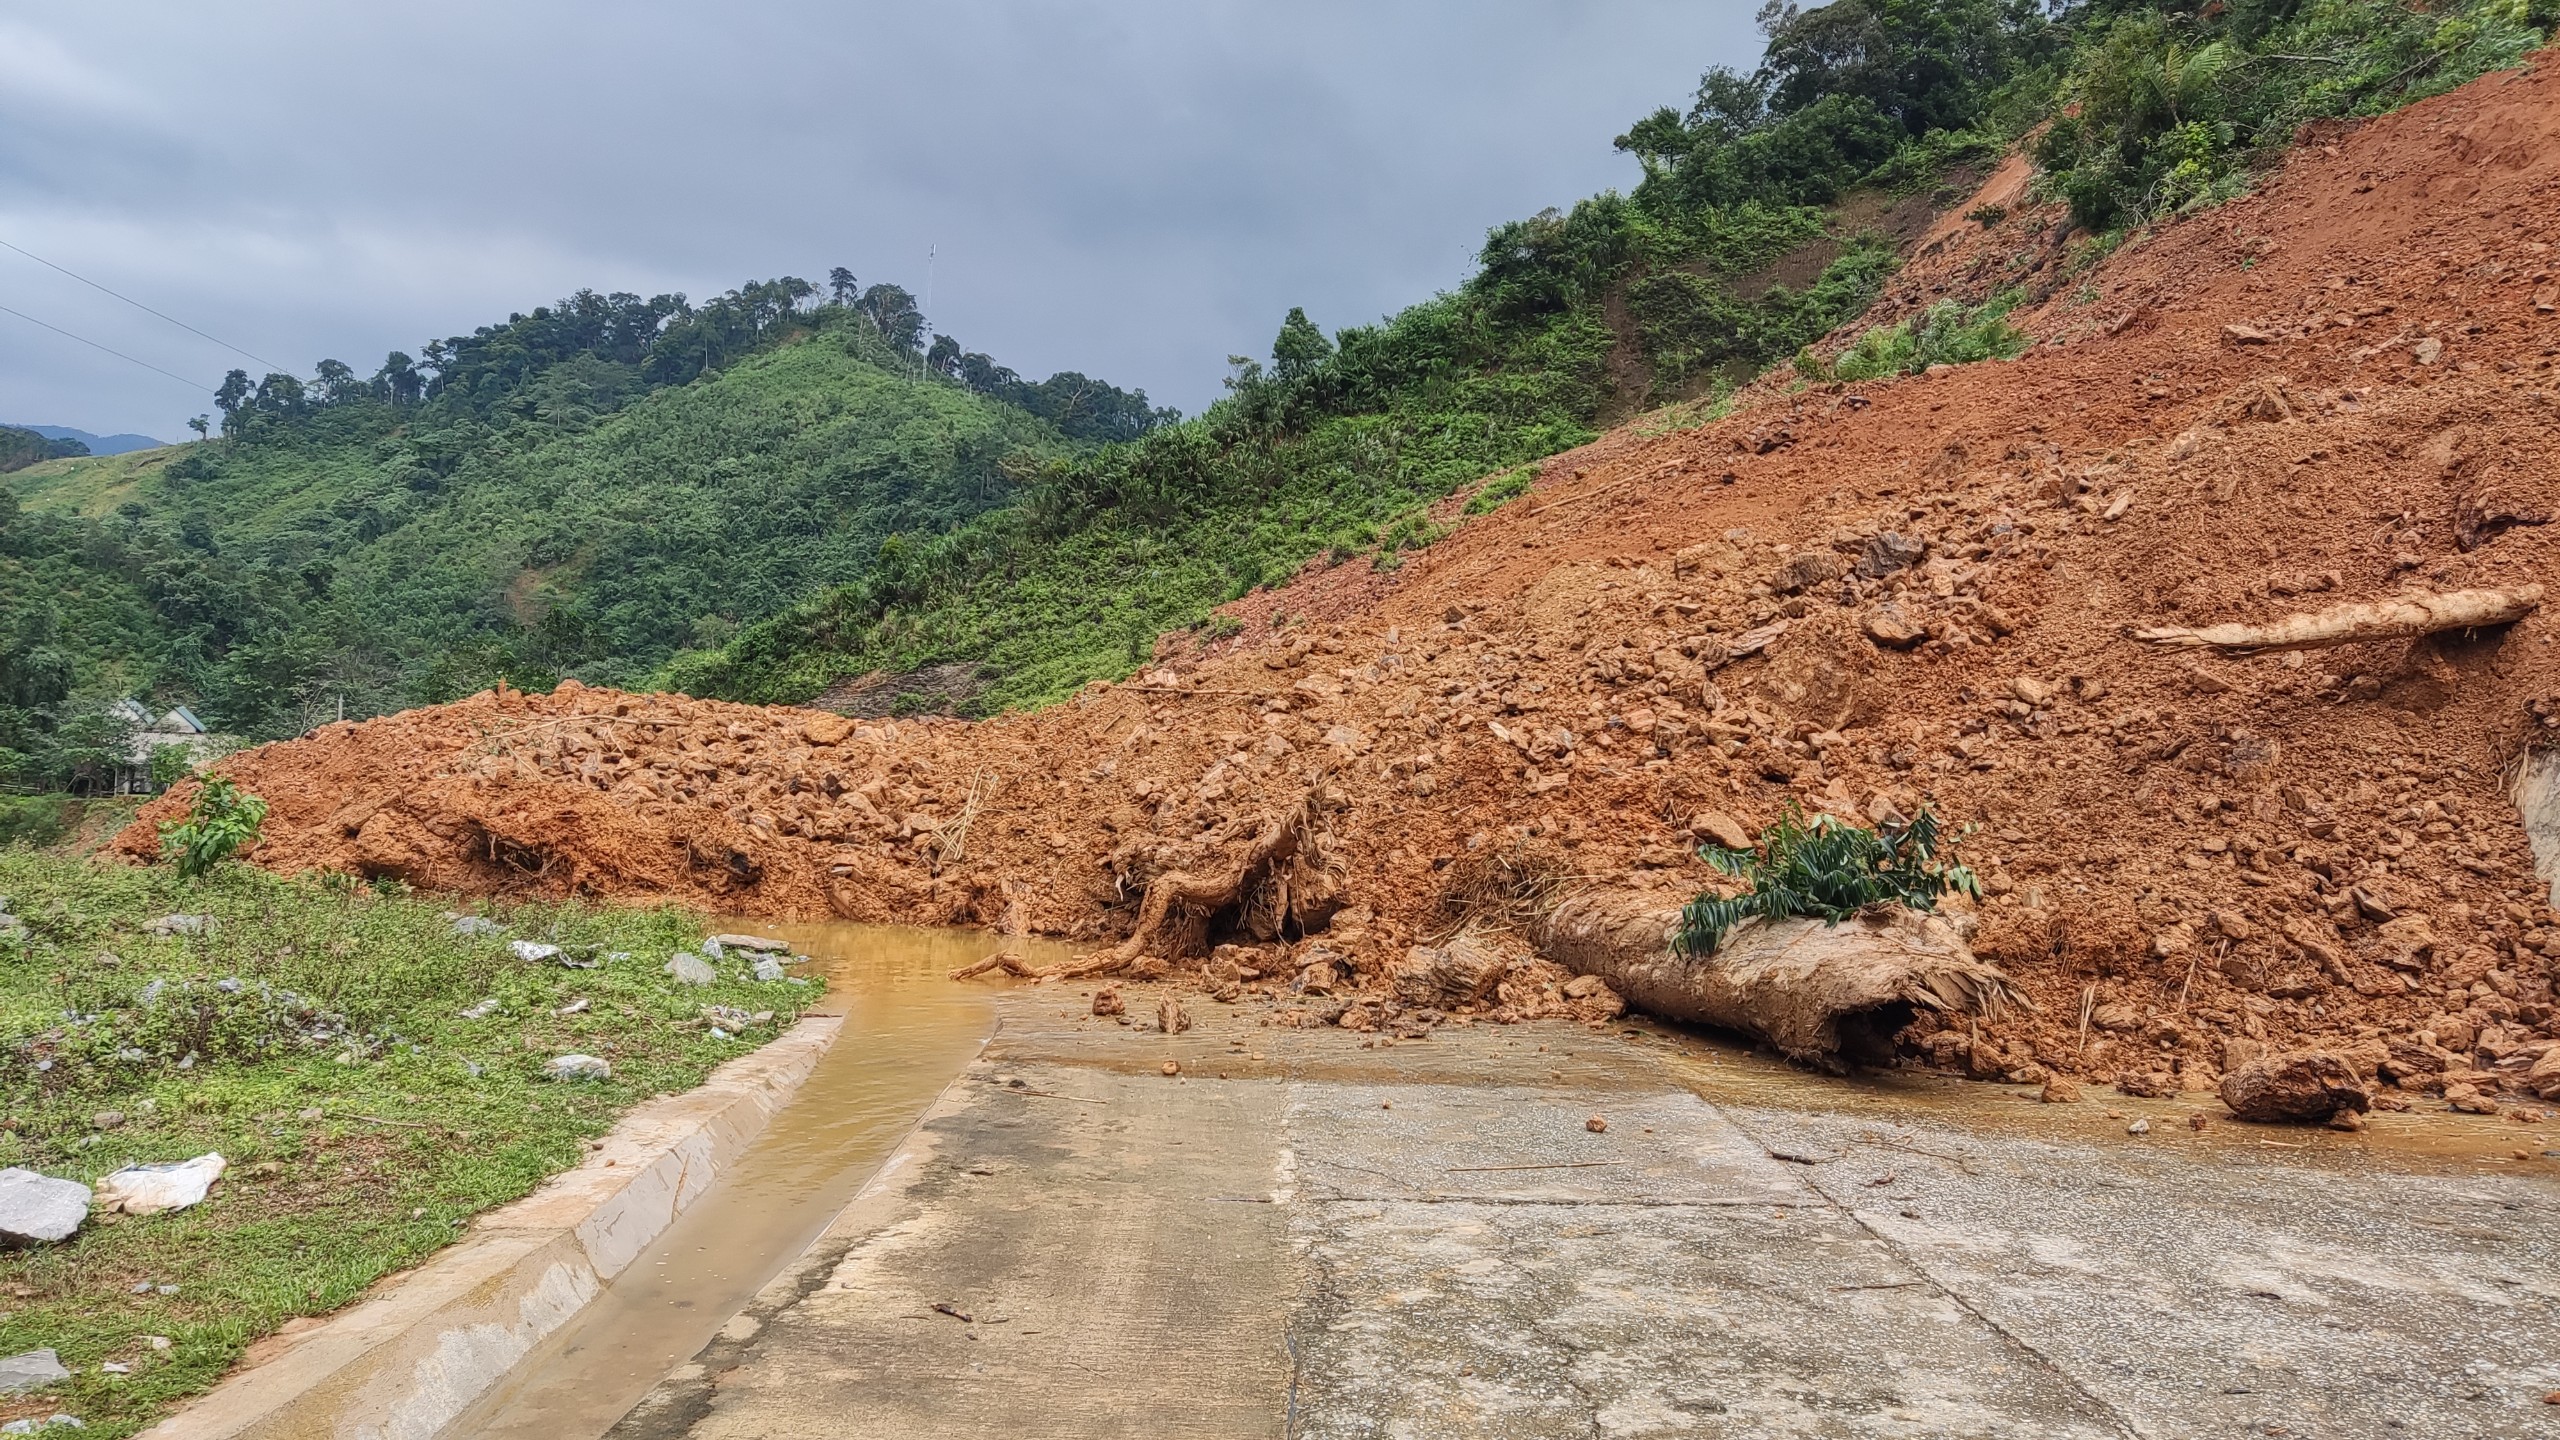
(908, 1034)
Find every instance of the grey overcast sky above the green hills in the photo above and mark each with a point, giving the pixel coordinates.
(1135, 191)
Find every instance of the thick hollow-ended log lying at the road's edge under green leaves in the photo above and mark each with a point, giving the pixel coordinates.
(1827, 995)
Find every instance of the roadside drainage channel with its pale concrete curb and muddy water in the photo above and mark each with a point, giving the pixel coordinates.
(564, 1308)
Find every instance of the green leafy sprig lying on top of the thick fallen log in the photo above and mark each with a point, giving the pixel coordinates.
(1827, 870)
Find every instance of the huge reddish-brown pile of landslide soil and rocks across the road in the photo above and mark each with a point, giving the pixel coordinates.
(1857, 601)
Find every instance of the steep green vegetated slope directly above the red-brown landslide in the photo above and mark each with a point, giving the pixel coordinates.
(1581, 316)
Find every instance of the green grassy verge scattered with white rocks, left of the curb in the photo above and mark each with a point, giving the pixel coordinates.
(319, 1039)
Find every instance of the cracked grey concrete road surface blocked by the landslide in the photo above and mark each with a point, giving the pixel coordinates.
(1320, 1236)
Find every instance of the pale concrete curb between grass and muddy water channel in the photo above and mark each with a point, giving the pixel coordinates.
(411, 1357)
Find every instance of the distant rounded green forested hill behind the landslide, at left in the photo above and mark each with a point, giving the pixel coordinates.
(582, 491)
